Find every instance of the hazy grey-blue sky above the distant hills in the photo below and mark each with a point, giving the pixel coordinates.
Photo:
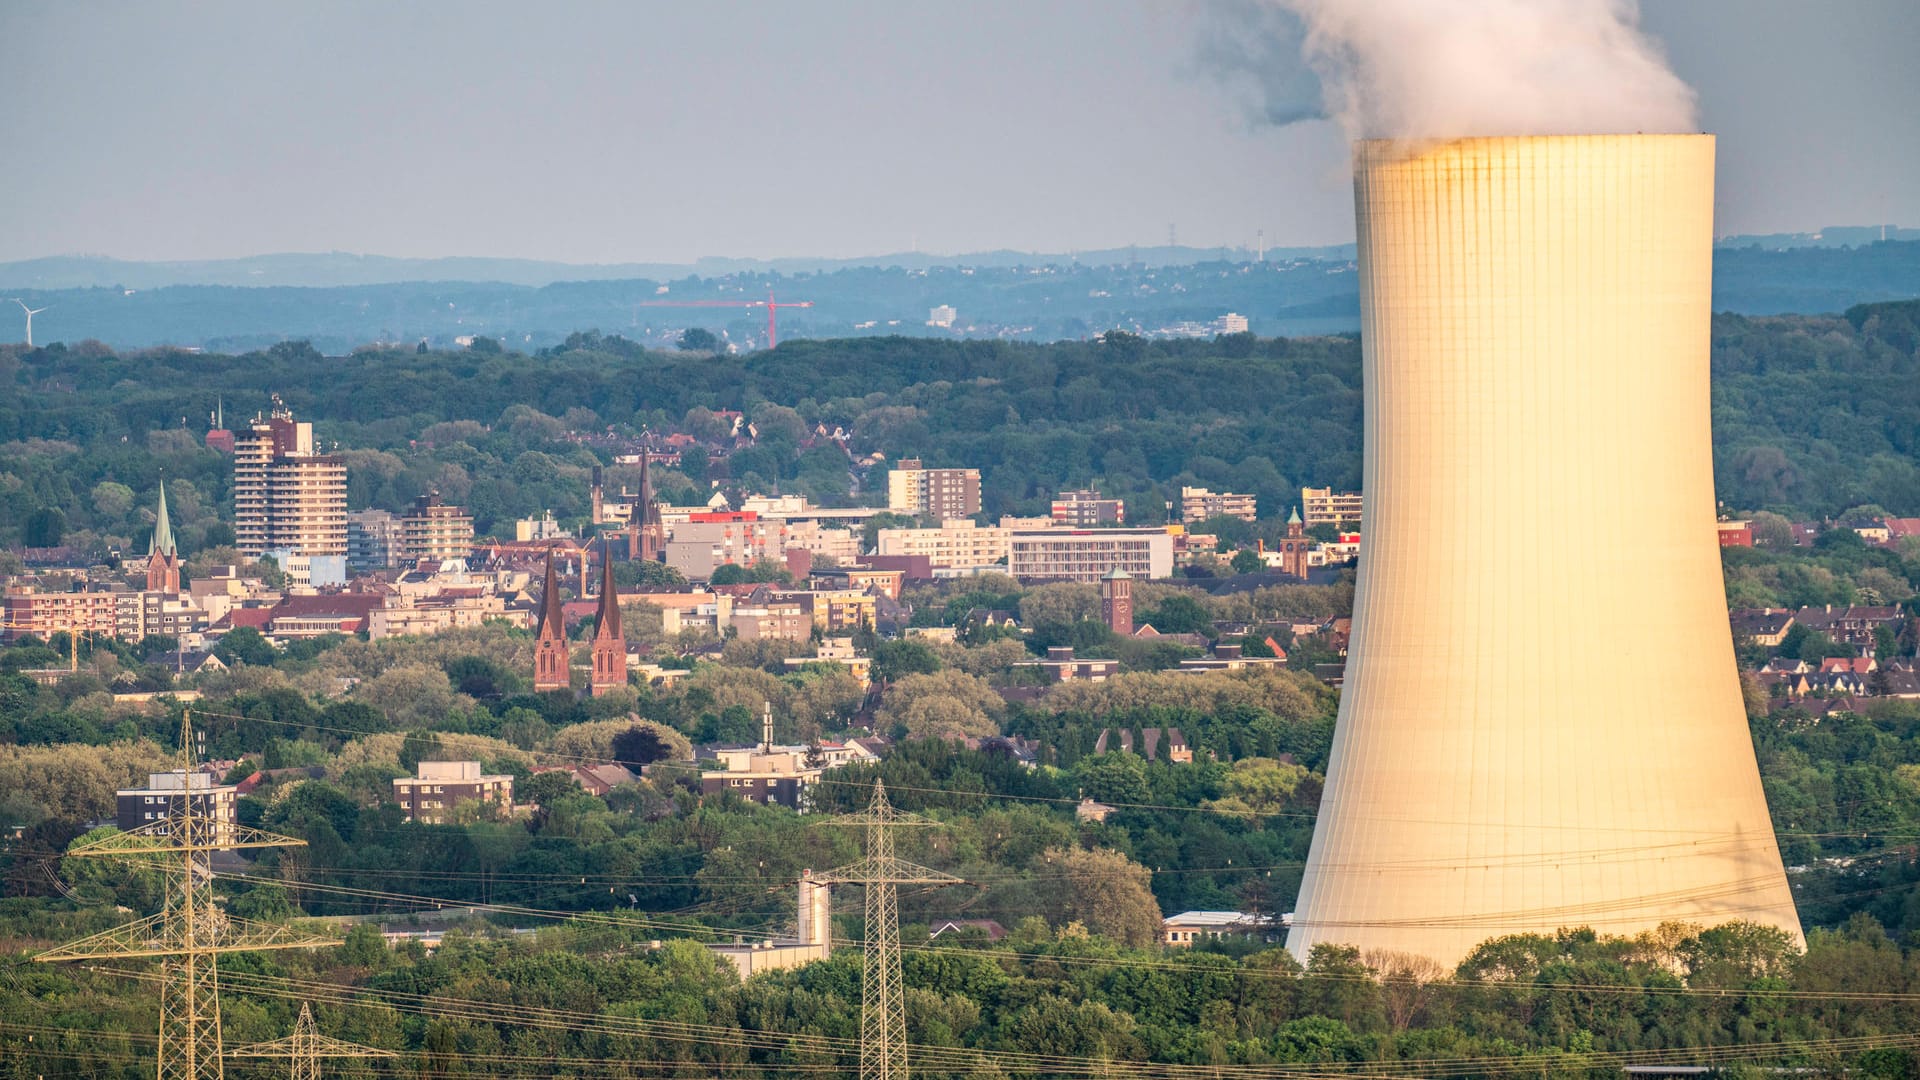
(827, 128)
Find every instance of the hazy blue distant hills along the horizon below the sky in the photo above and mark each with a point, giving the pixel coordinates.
(999, 297)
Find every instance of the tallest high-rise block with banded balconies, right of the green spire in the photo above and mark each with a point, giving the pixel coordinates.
(287, 497)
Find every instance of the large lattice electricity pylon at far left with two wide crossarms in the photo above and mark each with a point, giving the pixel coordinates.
(191, 933)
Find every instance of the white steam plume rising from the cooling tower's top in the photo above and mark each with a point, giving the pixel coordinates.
(1460, 68)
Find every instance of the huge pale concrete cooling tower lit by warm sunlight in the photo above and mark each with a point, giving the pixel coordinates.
(1543, 724)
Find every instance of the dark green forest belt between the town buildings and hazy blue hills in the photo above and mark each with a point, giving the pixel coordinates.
(1812, 416)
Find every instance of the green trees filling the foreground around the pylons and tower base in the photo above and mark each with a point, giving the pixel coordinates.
(621, 893)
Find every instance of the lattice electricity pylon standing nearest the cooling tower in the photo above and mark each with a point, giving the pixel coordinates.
(882, 993)
